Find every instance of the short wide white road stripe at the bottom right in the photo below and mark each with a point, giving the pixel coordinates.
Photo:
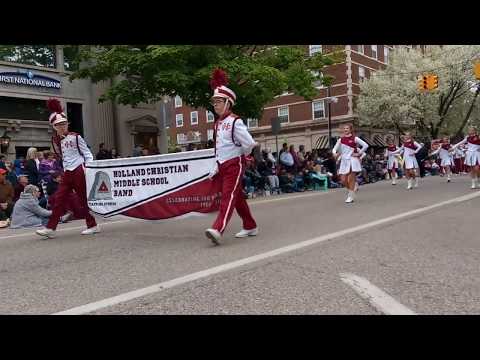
(379, 299)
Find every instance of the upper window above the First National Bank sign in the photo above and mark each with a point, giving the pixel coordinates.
(38, 55)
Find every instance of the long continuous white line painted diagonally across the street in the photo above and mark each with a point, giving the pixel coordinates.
(84, 309)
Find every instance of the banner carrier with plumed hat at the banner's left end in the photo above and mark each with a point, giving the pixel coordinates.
(74, 153)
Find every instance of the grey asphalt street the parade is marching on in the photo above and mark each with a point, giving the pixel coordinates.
(424, 260)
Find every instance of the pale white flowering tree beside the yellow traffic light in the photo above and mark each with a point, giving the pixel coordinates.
(391, 99)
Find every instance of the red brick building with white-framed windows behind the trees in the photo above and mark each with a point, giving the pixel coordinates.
(303, 122)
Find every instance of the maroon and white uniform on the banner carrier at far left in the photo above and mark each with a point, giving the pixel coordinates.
(75, 153)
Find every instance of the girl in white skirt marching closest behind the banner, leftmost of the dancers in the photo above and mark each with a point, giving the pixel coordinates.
(347, 147)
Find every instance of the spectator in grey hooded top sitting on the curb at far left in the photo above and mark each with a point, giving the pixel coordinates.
(27, 212)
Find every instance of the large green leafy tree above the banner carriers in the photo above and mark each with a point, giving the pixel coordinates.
(257, 73)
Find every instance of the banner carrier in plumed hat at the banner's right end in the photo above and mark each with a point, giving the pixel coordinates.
(232, 143)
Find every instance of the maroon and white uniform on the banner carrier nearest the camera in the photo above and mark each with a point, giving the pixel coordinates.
(232, 143)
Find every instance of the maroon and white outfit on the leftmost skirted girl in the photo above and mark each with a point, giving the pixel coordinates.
(347, 146)
